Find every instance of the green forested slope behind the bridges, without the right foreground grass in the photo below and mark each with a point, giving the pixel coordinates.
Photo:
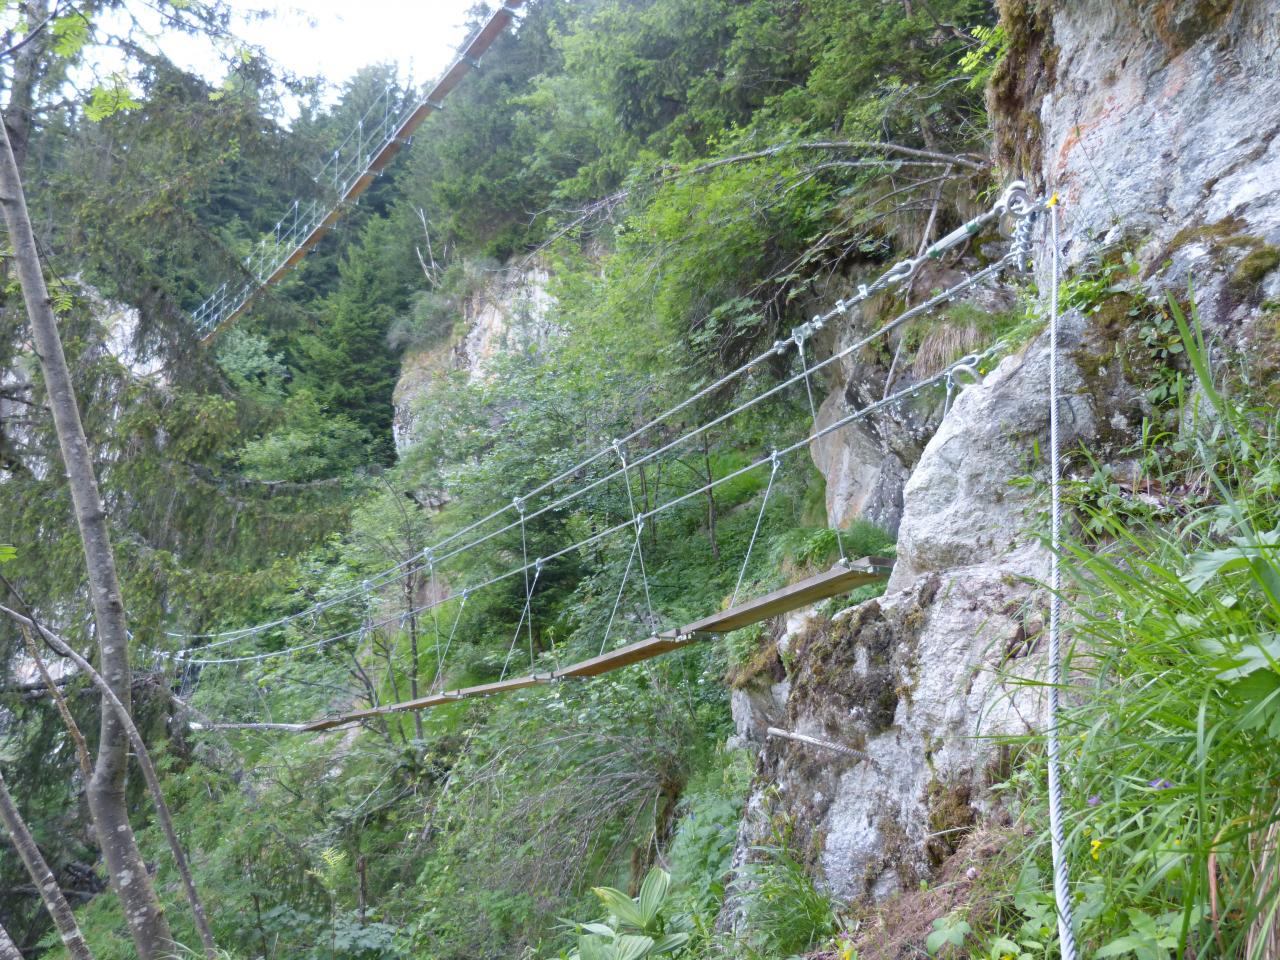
(260, 478)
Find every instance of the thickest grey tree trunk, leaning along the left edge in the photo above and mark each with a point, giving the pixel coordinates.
(106, 792)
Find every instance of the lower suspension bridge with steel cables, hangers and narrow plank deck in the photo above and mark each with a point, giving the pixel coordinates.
(616, 464)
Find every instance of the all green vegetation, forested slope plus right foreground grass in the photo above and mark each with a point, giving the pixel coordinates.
(697, 177)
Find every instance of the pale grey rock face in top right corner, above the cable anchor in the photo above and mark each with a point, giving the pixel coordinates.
(1160, 120)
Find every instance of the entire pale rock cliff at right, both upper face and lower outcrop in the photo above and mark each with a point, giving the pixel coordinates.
(1156, 125)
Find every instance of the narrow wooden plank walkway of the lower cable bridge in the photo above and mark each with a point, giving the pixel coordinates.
(838, 580)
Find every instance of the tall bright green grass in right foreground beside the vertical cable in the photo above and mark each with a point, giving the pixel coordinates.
(1172, 740)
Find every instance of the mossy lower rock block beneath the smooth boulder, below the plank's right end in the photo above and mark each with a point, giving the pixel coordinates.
(912, 680)
